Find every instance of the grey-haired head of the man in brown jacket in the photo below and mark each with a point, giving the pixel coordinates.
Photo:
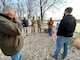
(10, 11)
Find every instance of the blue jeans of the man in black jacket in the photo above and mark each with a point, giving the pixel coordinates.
(62, 41)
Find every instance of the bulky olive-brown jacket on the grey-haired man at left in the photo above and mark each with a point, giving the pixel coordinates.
(11, 41)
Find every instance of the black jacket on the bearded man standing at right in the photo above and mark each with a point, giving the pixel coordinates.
(67, 26)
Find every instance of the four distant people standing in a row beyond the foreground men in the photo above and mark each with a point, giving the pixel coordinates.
(37, 24)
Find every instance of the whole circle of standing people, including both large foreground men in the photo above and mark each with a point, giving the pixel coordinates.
(11, 40)
